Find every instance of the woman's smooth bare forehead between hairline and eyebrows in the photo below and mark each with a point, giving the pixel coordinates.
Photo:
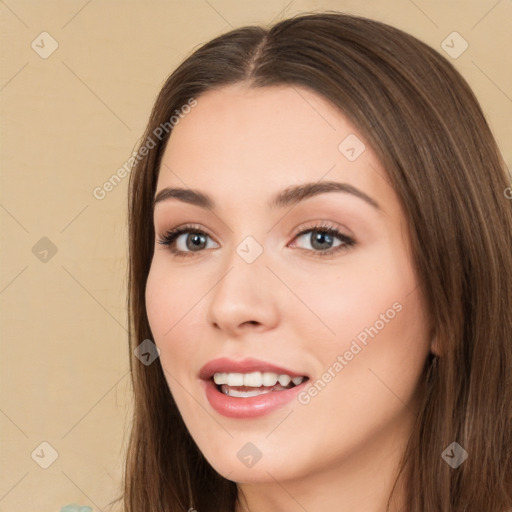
(246, 143)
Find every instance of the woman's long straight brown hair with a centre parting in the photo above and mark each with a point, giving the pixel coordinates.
(427, 128)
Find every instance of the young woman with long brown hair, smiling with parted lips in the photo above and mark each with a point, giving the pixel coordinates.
(321, 250)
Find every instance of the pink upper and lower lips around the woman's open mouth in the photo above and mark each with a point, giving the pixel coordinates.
(252, 407)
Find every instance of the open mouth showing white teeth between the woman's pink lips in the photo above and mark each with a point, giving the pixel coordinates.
(246, 385)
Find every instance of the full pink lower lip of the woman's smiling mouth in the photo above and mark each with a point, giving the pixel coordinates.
(251, 407)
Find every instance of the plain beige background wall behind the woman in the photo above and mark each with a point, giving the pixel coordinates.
(68, 123)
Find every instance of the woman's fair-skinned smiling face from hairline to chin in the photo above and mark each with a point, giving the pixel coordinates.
(342, 307)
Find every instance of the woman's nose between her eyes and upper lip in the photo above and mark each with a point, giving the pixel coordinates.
(245, 297)
